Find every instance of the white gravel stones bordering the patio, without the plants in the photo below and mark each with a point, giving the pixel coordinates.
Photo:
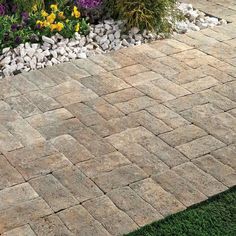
(103, 37)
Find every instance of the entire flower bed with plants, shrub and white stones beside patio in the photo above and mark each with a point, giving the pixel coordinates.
(41, 33)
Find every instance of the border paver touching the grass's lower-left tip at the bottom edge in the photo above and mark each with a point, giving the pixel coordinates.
(112, 218)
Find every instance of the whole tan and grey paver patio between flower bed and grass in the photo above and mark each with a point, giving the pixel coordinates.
(105, 145)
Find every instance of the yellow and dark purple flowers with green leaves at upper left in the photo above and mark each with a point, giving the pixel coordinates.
(21, 28)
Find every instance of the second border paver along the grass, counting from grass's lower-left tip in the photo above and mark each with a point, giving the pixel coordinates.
(127, 200)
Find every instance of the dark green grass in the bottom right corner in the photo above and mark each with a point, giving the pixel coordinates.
(214, 217)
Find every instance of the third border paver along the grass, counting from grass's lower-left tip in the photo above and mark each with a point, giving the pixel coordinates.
(164, 202)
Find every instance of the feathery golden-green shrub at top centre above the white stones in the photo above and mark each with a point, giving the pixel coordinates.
(157, 15)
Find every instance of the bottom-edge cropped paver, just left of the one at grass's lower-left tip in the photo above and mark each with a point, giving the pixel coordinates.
(78, 220)
